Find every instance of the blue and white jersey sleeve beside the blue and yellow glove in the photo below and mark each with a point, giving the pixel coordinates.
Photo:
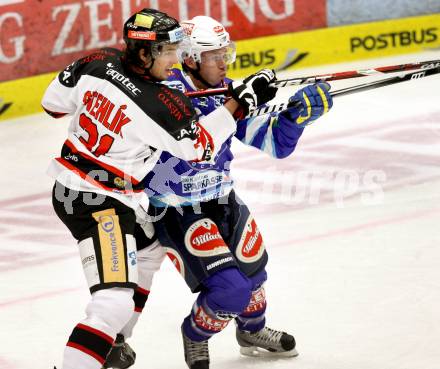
(272, 133)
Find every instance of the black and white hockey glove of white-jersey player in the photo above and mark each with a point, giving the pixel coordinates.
(254, 90)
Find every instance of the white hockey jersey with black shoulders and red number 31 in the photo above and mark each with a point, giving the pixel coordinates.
(121, 123)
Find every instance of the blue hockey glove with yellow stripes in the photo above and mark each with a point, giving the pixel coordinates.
(308, 104)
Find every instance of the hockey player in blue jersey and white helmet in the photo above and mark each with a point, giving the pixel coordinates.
(207, 230)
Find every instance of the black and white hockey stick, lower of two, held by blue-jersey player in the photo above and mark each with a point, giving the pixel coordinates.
(353, 89)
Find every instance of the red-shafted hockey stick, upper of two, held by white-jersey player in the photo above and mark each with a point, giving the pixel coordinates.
(329, 77)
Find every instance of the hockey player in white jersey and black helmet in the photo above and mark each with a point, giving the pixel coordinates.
(121, 121)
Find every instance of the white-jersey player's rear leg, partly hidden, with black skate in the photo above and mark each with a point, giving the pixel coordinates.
(150, 255)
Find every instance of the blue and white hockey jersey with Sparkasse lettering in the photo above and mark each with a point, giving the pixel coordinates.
(175, 182)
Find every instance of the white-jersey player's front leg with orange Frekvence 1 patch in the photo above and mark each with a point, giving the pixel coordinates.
(108, 253)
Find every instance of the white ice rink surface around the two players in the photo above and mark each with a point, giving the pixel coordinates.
(351, 222)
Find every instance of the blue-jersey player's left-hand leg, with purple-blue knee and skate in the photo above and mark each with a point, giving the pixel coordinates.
(197, 249)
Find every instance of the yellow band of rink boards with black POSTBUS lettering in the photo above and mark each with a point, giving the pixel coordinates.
(280, 52)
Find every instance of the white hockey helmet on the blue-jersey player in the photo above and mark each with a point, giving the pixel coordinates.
(205, 34)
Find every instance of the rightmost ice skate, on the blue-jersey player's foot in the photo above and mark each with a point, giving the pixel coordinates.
(266, 342)
